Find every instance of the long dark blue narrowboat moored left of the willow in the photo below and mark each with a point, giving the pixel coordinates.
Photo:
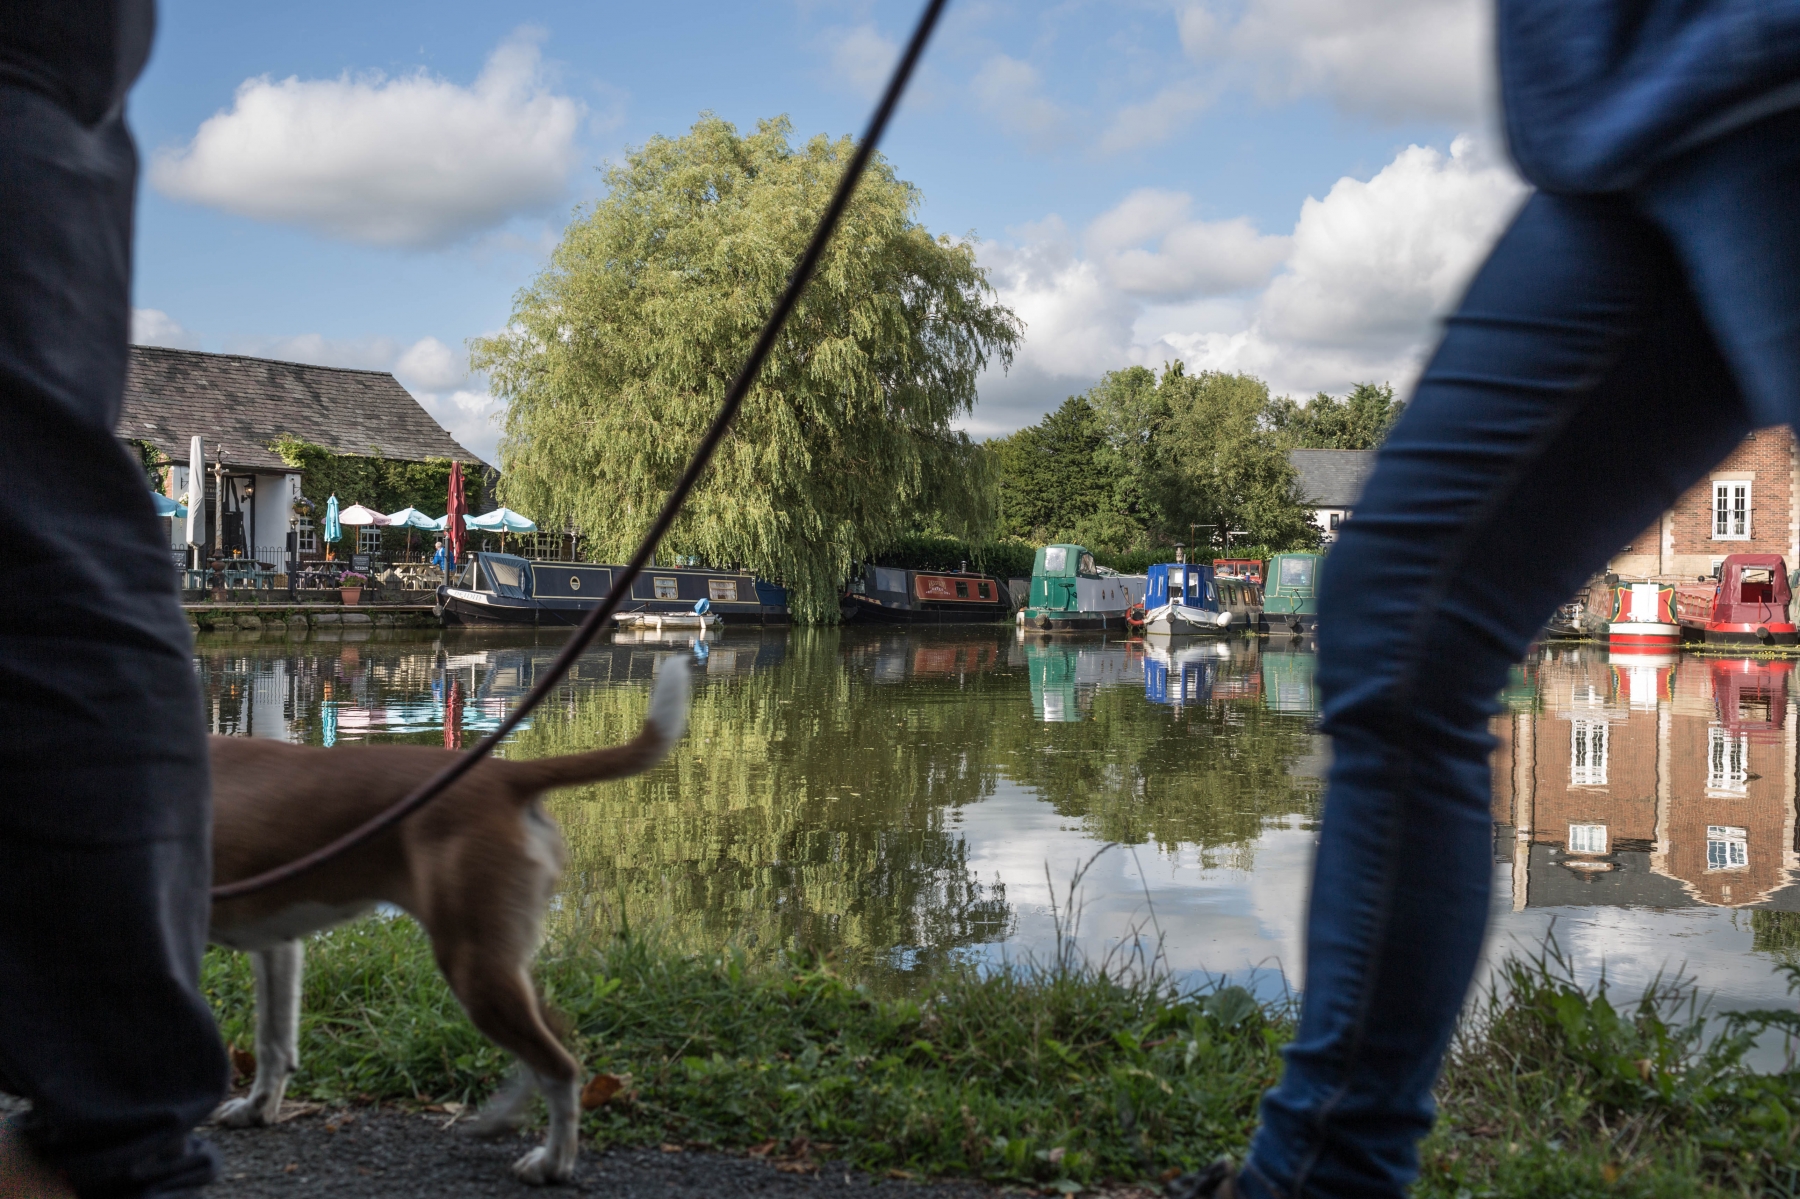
(505, 590)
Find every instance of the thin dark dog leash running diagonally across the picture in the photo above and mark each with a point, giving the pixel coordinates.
(715, 433)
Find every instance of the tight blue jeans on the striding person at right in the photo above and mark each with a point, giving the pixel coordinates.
(1606, 357)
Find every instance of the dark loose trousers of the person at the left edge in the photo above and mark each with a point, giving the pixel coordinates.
(105, 840)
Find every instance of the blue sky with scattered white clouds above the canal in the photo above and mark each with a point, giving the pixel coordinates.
(1291, 188)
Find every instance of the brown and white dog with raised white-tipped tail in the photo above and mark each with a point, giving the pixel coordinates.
(476, 869)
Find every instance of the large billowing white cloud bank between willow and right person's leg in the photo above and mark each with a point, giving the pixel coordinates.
(1369, 273)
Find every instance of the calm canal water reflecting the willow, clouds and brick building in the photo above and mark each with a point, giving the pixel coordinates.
(903, 800)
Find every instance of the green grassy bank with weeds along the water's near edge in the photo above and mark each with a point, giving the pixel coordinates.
(1054, 1076)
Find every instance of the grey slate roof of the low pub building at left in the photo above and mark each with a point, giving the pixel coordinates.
(244, 404)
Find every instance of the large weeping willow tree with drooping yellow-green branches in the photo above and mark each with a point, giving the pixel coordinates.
(620, 352)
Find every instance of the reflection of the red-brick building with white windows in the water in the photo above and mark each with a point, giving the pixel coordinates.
(1657, 784)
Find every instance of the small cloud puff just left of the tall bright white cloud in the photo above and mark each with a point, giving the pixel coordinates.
(1194, 258)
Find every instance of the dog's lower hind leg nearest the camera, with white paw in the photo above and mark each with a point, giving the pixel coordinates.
(503, 1005)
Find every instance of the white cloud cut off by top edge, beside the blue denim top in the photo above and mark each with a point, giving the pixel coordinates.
(1394, 60)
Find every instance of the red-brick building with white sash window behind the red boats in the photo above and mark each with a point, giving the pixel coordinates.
(1750, 503)
